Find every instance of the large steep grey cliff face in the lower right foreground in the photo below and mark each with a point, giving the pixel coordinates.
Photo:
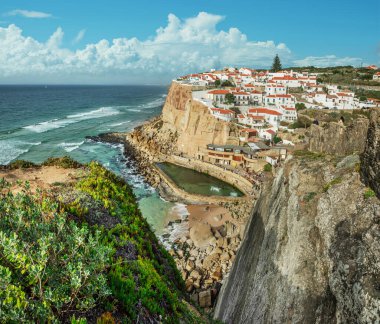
(311, 251)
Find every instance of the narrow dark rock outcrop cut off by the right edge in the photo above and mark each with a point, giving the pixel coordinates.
(370, 166)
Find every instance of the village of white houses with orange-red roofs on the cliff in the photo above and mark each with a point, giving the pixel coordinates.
(263, 106)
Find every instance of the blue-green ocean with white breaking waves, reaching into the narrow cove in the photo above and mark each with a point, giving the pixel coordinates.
(37, 122)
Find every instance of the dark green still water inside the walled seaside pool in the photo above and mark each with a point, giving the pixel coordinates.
(198, 183)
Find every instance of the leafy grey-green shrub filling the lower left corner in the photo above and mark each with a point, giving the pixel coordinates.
(50, 265)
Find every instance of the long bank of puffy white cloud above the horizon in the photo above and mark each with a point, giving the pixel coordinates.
(182, 46)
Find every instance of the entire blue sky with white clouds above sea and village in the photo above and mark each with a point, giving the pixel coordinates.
(152, 42)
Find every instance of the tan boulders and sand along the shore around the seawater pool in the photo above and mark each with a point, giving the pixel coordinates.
(205, 254)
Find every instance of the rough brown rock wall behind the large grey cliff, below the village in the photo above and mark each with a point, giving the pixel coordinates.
(335, 138)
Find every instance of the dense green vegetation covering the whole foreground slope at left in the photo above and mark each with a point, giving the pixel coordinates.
(84, 252)
